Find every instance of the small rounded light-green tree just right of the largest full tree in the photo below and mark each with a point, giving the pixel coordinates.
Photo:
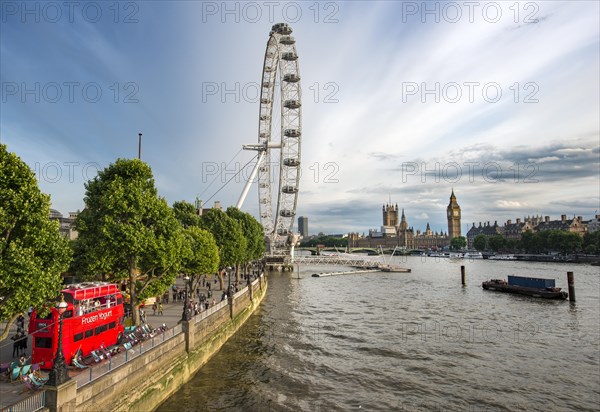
(200, 253)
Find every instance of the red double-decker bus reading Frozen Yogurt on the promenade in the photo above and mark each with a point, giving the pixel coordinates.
(94, 318)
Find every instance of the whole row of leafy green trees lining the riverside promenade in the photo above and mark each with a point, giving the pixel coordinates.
(127, 232)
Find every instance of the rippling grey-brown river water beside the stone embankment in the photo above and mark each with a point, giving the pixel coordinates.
(416, 341)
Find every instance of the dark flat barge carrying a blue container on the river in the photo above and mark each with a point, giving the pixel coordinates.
(535, 287)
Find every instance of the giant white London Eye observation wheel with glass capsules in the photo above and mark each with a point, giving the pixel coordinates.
(281, 106)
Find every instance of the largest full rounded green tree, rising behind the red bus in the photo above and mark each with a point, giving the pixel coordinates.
(129, 232)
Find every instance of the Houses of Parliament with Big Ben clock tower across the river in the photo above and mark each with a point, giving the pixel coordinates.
(396, 233)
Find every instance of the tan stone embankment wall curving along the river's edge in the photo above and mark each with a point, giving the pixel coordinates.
(145, 382)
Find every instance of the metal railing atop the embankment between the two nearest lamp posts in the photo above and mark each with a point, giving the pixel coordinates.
(96, 371)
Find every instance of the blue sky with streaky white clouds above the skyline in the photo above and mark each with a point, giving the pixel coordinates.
(402, 101)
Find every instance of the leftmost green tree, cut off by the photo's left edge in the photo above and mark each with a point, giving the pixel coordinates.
(33, 254)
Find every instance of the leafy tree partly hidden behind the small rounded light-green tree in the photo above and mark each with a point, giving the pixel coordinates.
(229, 237)
